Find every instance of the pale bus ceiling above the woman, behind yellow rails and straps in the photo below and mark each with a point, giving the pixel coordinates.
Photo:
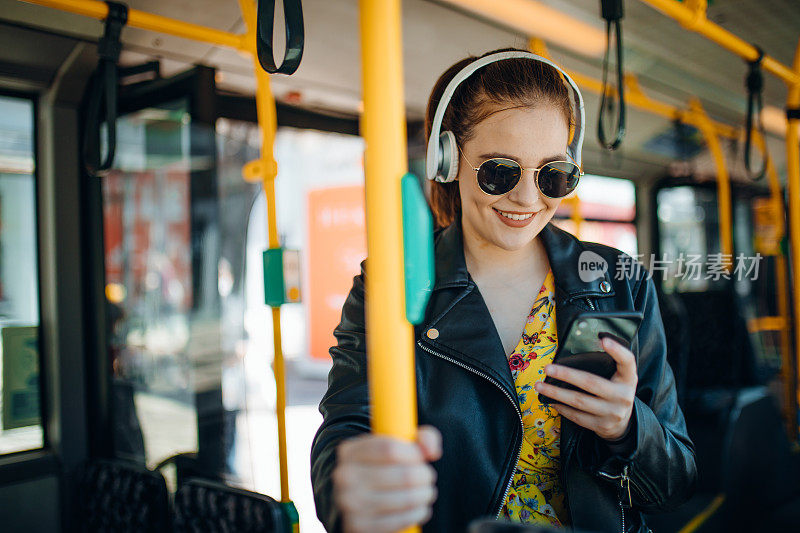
(698, 67)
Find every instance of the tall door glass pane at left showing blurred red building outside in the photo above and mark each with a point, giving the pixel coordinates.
(149, 287)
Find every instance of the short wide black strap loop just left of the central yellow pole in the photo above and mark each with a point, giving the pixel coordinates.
(295, 37)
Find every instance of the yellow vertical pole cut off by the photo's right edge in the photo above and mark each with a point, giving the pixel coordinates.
(793, 186)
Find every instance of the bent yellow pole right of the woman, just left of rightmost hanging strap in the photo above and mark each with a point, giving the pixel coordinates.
(723, 182)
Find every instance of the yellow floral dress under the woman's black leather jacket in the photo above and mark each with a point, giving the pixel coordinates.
(536, 495)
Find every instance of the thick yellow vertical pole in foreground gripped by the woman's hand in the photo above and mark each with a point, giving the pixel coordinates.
(390, 346)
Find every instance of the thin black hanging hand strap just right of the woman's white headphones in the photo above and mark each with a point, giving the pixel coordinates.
(612, 11)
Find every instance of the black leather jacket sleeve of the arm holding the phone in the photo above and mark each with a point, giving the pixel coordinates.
(659, 453)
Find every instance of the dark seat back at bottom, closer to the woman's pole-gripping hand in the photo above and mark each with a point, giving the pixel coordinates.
(202, 506)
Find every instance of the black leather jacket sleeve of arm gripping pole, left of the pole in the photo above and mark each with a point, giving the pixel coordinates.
(345, 405)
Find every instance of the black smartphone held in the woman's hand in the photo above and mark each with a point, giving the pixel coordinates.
(582, 347)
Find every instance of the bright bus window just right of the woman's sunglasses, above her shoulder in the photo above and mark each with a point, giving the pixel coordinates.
(608, 207)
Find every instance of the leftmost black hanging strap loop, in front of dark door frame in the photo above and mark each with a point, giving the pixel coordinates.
(103, 89)
